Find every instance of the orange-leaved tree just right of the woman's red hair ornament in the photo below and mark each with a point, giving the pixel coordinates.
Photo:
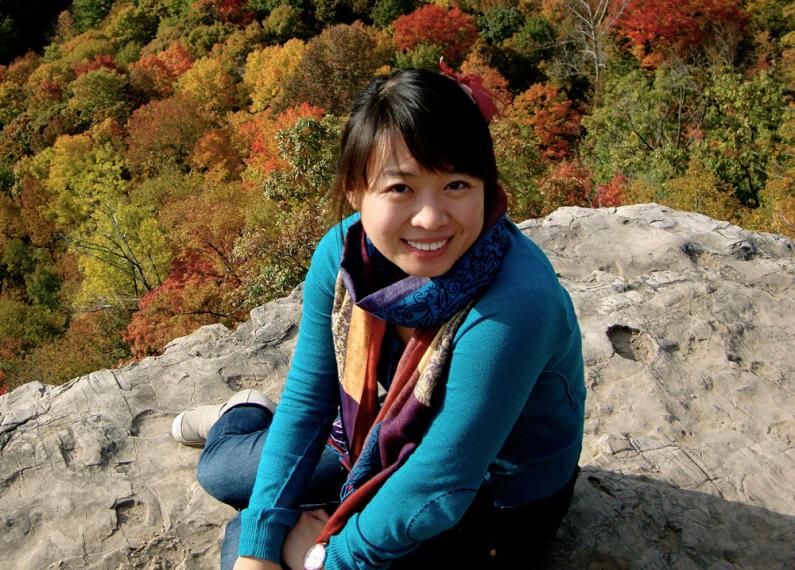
(555, 122)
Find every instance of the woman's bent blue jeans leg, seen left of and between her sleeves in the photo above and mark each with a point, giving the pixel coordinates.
(228, 467)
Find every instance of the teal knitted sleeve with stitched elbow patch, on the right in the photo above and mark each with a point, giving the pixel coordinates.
(499, 353)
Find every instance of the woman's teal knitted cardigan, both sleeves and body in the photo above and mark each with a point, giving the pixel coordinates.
(511, 416)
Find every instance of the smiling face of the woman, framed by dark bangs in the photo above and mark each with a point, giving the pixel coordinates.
(422, 221)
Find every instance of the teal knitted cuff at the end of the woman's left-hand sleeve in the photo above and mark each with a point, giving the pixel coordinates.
(262, 532)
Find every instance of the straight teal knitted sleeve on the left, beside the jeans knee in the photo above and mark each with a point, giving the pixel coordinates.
(303, 418)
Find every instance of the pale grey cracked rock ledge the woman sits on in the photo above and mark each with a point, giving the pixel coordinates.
(689, 459)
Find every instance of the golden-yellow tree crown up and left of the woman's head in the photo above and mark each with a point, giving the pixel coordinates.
(268, 69)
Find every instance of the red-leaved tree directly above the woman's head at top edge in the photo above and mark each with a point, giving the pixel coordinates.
(454, 31)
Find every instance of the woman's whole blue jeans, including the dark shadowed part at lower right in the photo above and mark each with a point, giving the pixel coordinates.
(486, 537)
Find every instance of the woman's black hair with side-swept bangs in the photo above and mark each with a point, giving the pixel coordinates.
(440, 124)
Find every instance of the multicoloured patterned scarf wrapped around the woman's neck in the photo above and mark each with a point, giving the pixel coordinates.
(371, 293)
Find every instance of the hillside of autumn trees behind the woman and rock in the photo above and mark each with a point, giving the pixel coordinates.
(164, 164)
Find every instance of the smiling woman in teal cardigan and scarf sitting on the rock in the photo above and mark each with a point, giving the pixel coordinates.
(432, 297)
